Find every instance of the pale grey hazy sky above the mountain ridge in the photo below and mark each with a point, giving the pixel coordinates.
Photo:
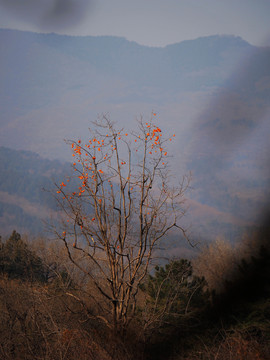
(148, 22)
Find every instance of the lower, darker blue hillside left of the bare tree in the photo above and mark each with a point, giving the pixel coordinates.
(25, 183)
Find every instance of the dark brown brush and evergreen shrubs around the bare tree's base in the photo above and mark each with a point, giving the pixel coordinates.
(213, 308)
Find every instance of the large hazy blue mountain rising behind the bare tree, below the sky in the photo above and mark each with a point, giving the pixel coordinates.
(213, 92)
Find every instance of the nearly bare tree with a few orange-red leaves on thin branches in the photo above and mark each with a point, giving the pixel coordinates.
(123, 206)
